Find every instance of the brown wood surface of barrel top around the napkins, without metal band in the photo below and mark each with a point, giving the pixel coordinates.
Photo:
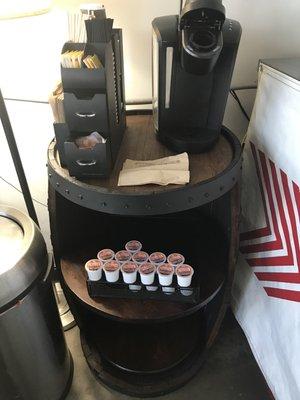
(140, 143)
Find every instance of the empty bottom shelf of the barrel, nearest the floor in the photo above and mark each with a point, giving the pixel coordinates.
(177, 363)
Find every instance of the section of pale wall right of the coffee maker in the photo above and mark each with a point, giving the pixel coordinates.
(271, 29)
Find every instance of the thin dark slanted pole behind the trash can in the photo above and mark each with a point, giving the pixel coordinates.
(17, 160)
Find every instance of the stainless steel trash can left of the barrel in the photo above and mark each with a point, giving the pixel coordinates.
(35, 363)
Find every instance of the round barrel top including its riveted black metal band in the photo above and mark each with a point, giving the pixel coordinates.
(140, 143)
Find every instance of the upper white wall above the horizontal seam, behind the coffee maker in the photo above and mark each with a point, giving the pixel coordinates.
(31, 46)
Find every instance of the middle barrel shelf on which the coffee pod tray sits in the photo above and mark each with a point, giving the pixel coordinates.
(211, 277)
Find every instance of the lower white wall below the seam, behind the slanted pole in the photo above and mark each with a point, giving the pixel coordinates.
(32, 125)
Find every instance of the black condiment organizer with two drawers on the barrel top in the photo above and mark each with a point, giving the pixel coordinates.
(93, 102)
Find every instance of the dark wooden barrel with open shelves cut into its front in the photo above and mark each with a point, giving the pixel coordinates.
(140, 347)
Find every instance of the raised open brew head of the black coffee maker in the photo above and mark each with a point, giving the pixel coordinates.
(200, 29)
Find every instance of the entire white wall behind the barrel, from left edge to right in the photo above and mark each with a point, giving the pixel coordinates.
(29, 66)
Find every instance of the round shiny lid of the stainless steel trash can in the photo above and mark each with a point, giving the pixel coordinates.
(23, 255)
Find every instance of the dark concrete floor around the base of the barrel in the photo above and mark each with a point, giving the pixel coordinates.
(230, 372)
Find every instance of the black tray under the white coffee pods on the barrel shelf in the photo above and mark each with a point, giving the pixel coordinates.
(140, 291)
